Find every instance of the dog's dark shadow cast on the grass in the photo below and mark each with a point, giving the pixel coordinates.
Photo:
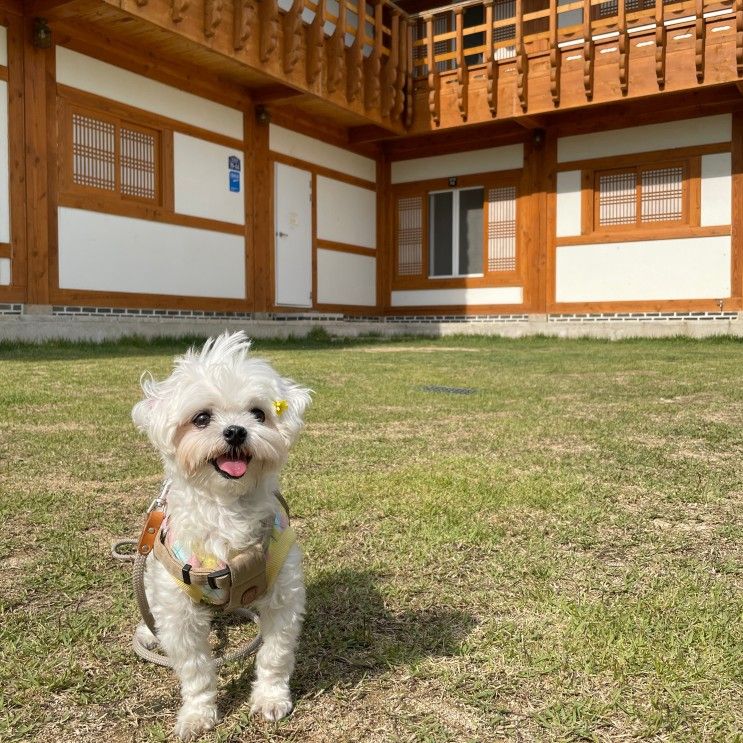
(349, 634)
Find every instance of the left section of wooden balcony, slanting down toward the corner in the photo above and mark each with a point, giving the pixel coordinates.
(338, 60)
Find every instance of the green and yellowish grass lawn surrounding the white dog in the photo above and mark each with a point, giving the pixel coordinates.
(556, 557)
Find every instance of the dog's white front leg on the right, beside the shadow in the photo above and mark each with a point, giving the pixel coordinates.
(281, 613)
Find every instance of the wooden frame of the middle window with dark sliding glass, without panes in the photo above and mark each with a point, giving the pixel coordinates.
(422, 189)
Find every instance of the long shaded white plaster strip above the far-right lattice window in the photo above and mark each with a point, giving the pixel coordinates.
(667, 136)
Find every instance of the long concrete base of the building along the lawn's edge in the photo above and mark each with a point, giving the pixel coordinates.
(42, 326)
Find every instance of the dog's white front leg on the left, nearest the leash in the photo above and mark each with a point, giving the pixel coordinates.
(183, 630)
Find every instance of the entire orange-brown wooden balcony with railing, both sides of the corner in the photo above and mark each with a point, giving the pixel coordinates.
(371, 68)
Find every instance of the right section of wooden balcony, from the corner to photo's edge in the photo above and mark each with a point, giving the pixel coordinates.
(483, 60)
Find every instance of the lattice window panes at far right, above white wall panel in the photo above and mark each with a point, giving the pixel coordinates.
(641, 196)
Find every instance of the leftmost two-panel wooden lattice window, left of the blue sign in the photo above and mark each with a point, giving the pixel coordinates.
(113, 156)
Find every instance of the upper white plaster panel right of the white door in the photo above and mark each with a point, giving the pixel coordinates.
(346, 213)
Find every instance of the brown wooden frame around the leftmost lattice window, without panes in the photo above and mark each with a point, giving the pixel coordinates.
(115, 195)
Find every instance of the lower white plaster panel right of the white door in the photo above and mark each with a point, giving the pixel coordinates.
(346, 278)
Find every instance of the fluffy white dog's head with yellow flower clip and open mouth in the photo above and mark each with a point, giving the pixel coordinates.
(222, 420)
